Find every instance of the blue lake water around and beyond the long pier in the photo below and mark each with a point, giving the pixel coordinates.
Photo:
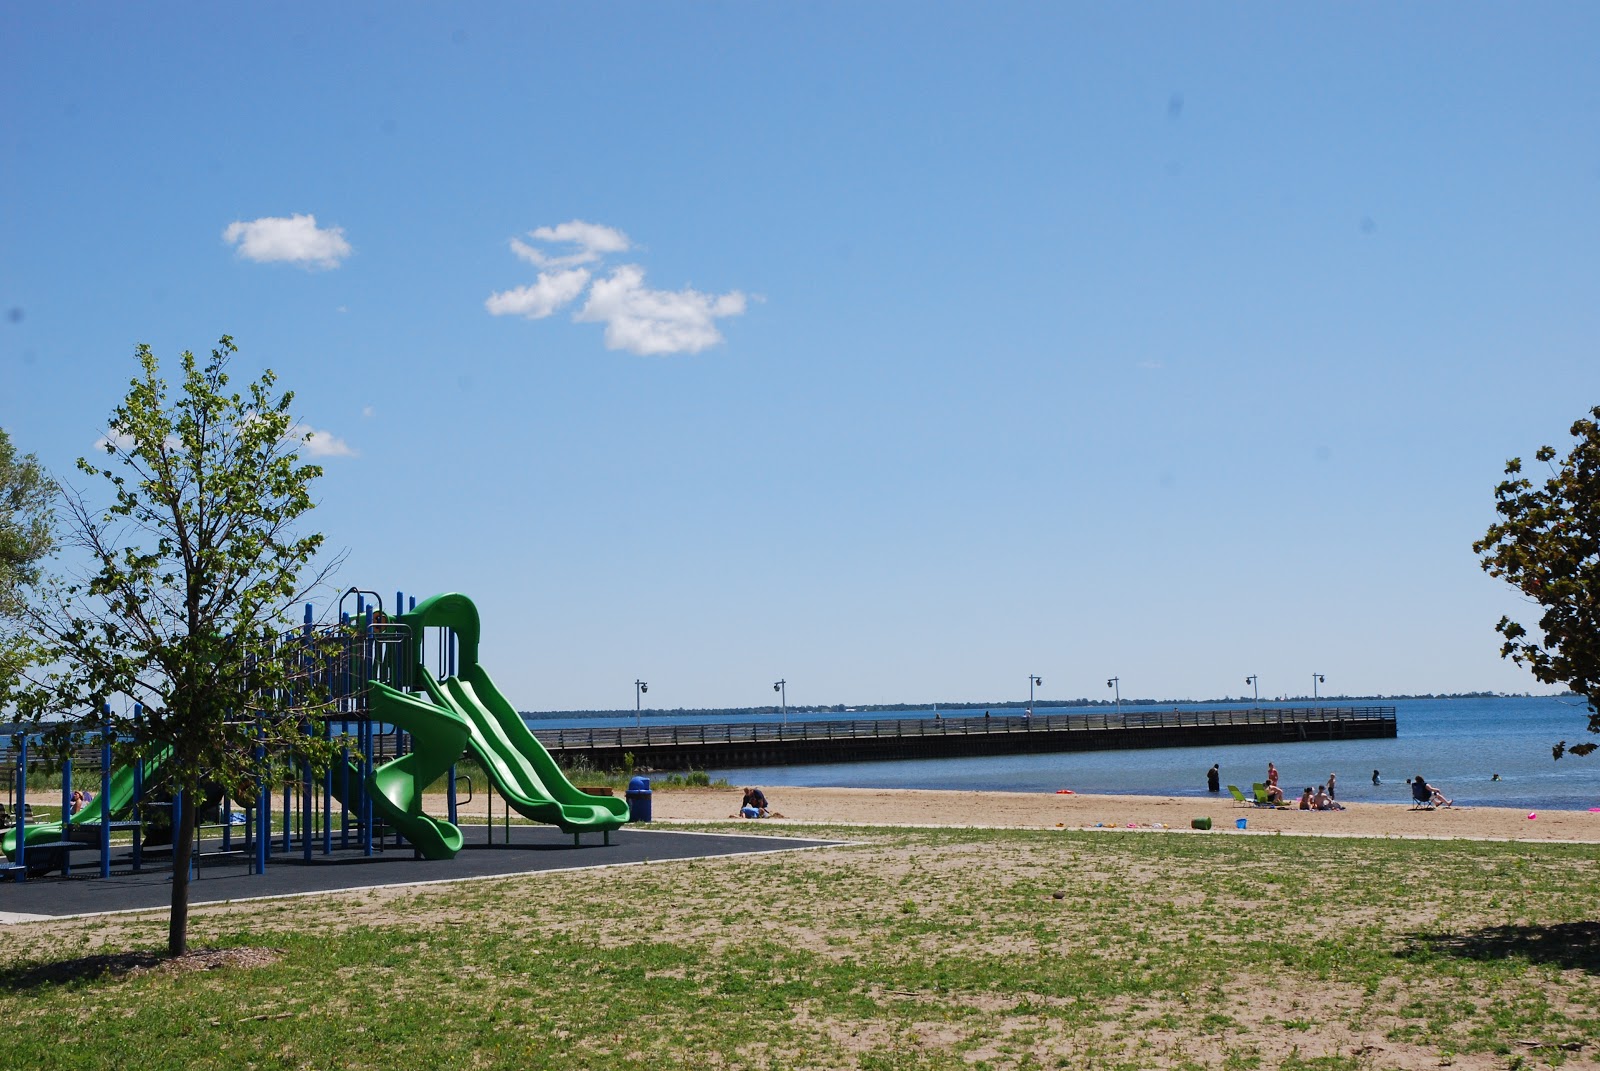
(1457, 745)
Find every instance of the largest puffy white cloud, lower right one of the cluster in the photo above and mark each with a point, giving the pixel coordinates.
(647, 323)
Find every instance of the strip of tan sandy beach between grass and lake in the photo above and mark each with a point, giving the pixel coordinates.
(1031, 811)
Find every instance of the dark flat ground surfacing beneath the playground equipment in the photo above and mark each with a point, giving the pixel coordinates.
(228, 878)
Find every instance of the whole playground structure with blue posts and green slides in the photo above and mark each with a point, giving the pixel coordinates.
(407, 726)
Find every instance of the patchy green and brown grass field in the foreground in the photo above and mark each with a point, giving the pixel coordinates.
(902, 950)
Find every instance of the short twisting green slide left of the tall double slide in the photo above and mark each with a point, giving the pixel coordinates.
(396, 788)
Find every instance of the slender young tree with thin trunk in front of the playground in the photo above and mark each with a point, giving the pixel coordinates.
(194, 568)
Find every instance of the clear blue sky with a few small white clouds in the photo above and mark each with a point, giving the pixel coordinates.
(895, 350)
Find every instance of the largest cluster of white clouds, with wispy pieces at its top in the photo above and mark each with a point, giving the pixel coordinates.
(638, 319)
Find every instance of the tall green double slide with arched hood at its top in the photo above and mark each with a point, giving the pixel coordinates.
(522, 769)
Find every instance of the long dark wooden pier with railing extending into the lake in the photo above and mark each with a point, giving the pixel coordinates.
(772, 744)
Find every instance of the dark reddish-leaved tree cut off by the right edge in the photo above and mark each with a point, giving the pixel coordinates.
(1548, 545)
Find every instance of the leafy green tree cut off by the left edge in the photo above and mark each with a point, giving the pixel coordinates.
(25, 540)
